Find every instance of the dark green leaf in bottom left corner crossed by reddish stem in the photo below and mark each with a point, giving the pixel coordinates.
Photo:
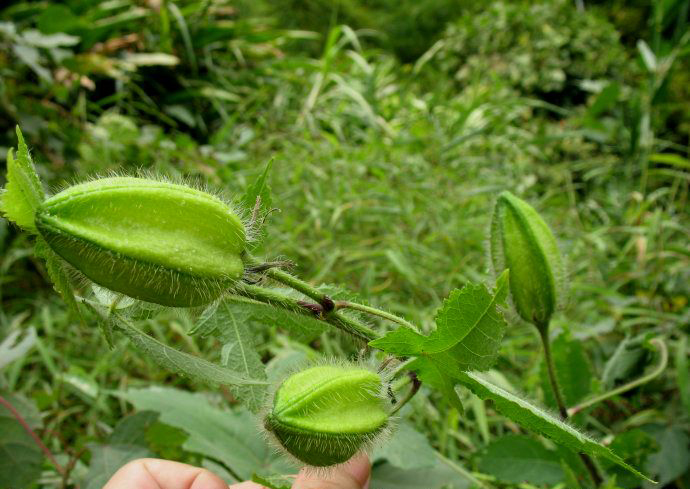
(20, 456)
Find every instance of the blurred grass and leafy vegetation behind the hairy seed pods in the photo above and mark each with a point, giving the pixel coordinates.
(391, 125)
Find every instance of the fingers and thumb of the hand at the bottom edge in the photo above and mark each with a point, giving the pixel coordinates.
(151, 473)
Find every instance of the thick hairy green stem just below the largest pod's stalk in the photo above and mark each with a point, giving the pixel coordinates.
(340, 321)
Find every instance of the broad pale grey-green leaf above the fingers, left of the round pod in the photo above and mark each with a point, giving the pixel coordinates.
(229, 436)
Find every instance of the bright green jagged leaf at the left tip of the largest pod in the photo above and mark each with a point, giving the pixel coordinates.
(23, 193)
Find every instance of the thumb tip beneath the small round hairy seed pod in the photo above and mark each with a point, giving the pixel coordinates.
(353, 474)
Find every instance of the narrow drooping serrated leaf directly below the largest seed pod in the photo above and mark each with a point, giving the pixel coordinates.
(183, 363)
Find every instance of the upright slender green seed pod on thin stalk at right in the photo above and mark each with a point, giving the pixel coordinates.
(522, 242)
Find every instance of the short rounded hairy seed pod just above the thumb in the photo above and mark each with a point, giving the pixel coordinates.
(324, 415)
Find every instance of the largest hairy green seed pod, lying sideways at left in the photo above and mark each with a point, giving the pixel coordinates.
(155, 241)
